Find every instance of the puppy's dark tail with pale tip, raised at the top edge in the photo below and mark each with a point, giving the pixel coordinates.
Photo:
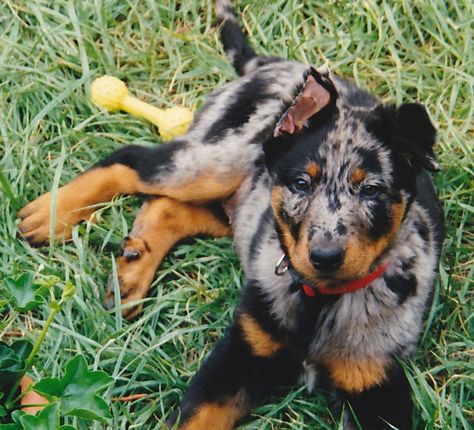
(236, 46)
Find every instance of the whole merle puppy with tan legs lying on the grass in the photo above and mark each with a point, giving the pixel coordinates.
(335, 220)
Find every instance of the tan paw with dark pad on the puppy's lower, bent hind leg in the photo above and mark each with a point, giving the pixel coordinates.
(135, 270)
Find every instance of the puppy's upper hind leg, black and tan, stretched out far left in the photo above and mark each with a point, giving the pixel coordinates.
(130, 170)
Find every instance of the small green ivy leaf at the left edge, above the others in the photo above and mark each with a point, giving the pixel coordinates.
(25, 294)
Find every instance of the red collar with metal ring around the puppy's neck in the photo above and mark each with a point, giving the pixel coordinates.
(349, 287)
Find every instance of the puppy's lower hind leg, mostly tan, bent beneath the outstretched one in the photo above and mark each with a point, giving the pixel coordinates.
(160, 224)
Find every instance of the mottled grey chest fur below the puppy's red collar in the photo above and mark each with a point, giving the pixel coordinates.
(378, 319)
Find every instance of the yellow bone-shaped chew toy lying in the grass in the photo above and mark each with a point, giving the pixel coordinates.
(112, 94)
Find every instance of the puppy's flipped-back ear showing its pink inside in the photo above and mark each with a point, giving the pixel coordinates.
(317, 93)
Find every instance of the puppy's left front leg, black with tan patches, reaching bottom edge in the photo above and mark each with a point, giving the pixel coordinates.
(246, 366)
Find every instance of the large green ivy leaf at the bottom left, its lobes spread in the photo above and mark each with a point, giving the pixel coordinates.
(77, 390)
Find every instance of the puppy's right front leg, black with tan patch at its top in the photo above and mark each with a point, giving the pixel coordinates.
(376, 394)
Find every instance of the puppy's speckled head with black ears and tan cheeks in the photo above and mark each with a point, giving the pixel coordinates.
(343, 178)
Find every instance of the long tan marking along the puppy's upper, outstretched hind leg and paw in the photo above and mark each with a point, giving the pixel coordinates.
(77, 200)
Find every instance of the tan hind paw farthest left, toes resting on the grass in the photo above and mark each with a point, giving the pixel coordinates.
(35, 225)
